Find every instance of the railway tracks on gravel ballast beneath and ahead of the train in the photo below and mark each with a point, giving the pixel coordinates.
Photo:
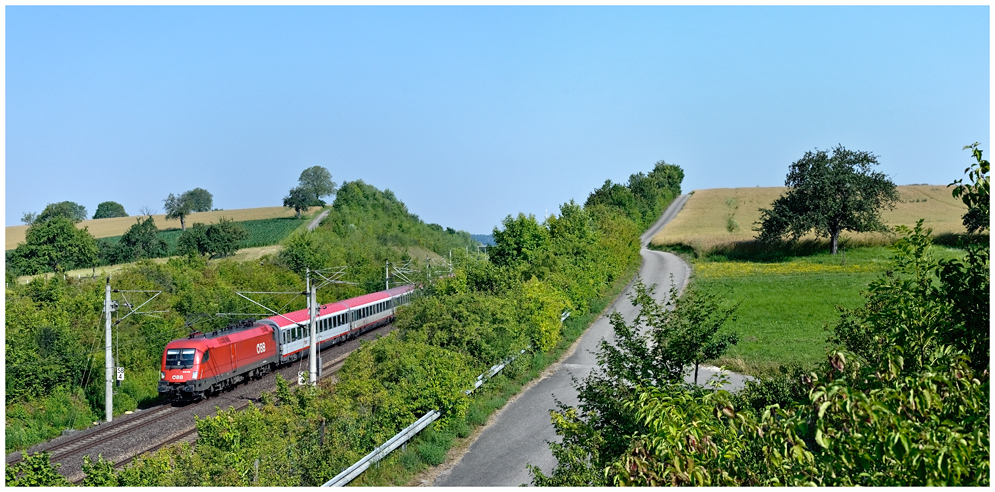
(101, 440)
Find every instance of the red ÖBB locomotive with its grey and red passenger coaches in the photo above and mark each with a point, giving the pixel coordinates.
(206, 363)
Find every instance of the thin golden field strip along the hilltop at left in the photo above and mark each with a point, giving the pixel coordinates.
(119, 225)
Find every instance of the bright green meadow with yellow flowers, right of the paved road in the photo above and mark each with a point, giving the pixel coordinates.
(786, 306)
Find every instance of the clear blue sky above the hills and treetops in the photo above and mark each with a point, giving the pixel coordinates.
(470, 114)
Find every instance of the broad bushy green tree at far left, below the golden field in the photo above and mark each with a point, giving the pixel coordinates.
(54, 244)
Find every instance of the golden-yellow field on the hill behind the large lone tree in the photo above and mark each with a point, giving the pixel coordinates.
(721, 216)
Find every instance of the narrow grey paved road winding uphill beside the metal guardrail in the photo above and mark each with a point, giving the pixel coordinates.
(520, 432)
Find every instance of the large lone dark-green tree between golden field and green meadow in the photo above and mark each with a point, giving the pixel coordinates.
(828, 195)
